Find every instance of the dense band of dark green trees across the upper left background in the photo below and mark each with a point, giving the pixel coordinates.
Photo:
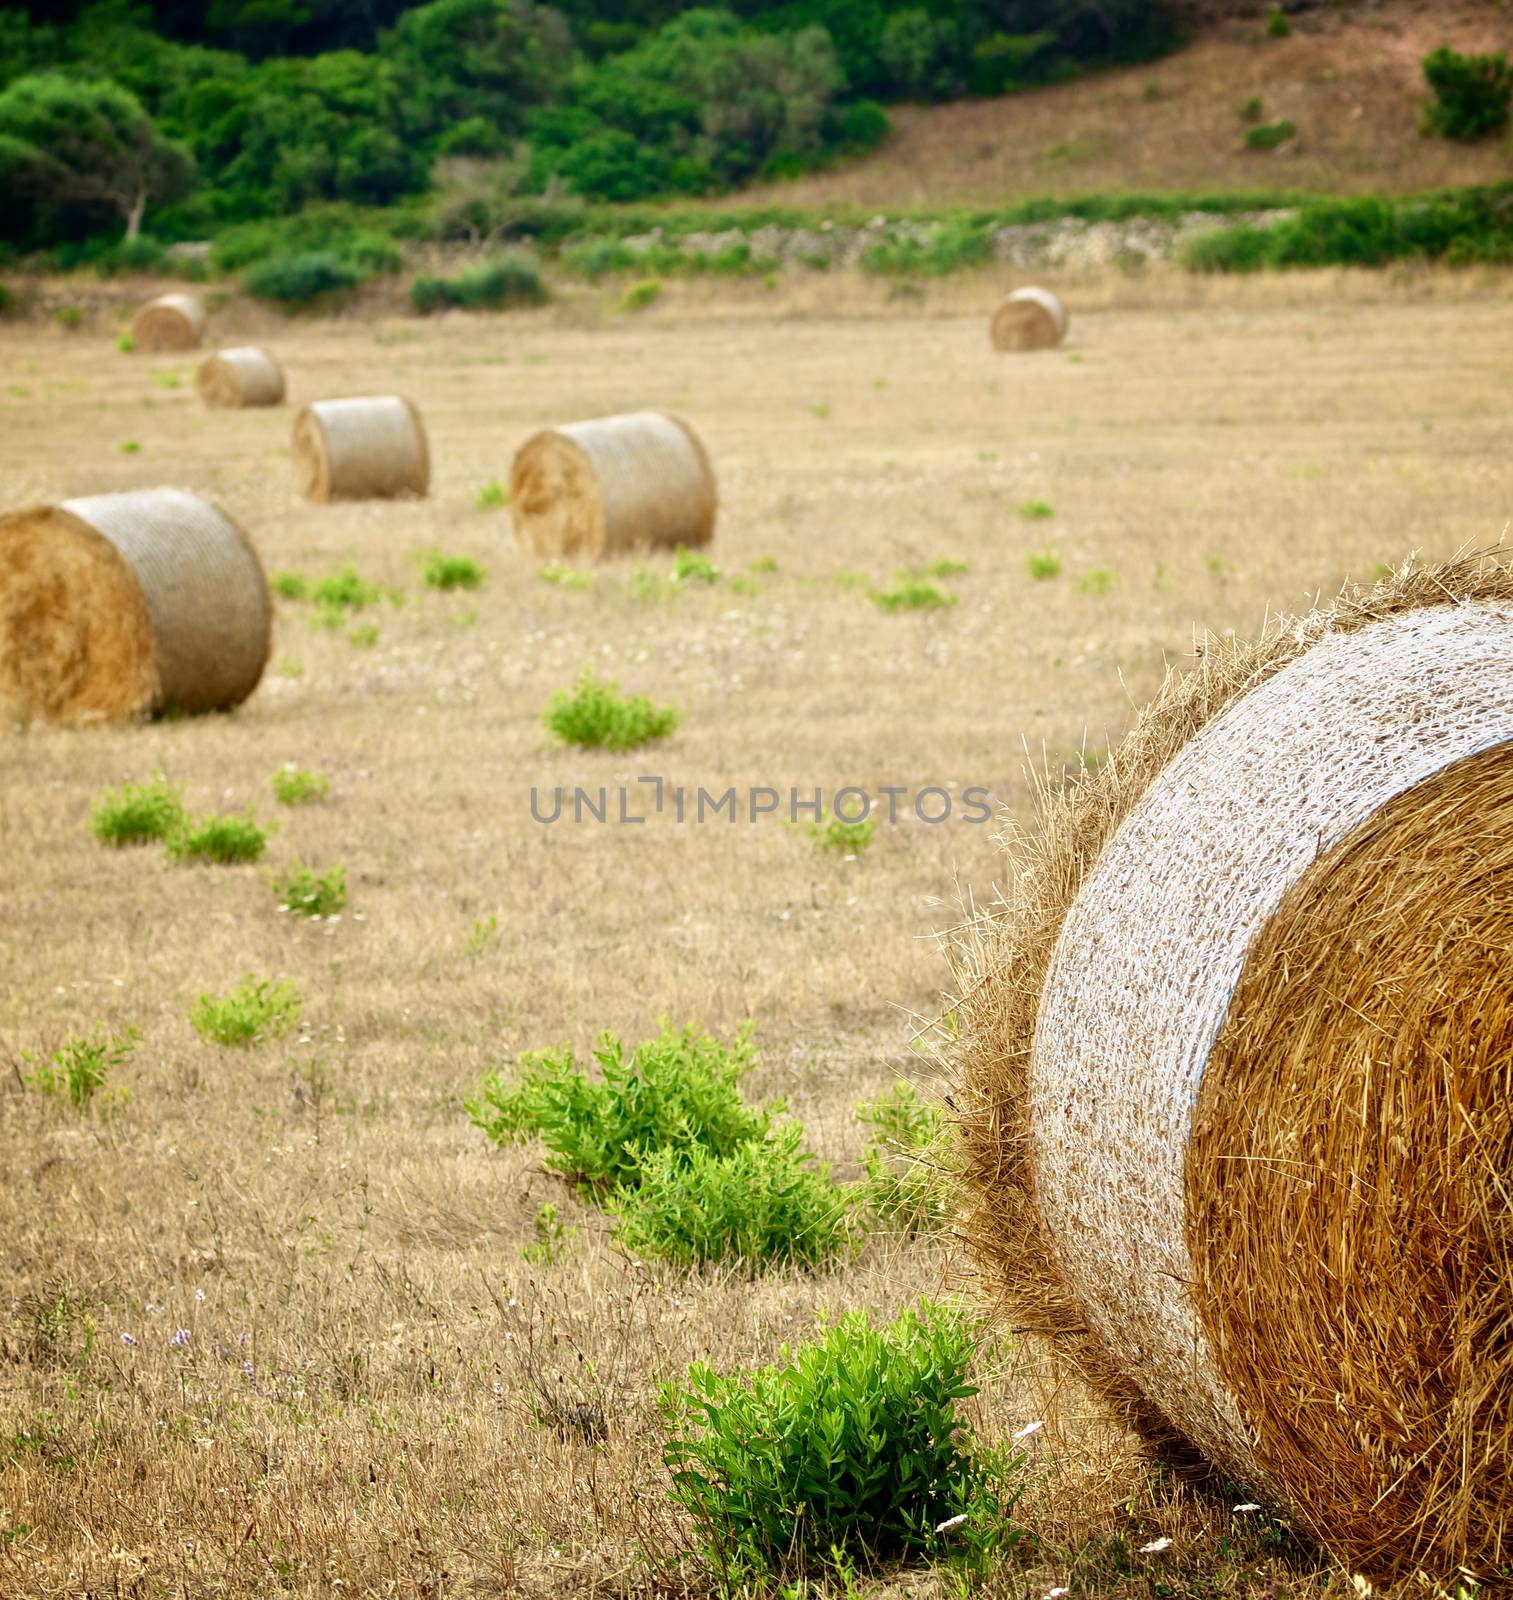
(194, 118)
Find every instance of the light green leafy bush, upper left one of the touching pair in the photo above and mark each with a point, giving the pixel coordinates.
(679, 1092)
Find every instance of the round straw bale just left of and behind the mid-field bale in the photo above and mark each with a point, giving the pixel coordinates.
(372, 447)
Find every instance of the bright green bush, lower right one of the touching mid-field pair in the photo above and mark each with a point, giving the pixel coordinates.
(760, 1206)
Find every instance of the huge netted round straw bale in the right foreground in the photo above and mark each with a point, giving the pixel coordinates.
(1236, 1071)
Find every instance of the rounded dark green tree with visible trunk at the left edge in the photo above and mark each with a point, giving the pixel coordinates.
(86, 145)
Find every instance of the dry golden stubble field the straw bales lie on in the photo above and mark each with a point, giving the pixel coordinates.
(351, 1409)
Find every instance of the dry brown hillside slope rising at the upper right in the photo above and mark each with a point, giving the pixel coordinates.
(1347, 79)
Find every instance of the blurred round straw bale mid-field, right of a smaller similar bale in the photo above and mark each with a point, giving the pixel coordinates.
(612, 486)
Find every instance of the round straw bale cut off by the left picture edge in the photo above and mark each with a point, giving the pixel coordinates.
(121, 606)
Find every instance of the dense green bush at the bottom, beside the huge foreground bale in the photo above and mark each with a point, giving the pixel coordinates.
(852, 1452)
